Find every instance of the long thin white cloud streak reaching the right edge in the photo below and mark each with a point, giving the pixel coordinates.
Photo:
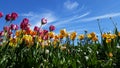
(100, 17)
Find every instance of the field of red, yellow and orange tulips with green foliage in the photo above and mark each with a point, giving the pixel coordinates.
(24, 47)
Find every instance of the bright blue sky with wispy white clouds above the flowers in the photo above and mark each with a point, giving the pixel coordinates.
(73, 15)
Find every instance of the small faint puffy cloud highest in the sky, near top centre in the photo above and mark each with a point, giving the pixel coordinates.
(71, 5)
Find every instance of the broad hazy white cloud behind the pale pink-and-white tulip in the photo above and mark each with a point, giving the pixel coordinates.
(35, 18)
